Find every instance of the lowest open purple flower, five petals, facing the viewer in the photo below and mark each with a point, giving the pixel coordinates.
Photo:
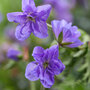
(45, 66)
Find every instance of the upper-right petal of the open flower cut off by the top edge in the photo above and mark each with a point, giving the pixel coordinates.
(44, 11)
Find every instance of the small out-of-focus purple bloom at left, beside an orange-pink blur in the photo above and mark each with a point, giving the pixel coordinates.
(13, 54)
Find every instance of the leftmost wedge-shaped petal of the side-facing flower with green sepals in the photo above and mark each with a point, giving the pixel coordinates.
(58, 26)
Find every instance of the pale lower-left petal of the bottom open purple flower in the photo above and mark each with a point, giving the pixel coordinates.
(32, 71)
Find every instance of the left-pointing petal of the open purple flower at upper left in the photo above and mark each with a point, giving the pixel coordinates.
(17, 17)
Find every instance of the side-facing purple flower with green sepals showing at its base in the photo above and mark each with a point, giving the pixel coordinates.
(70, 34)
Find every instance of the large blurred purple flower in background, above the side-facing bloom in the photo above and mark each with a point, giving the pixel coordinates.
(62, 8)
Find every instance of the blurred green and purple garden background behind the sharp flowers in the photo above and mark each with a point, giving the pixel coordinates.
(76, 76)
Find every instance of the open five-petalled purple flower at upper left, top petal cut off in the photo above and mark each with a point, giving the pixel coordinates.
(31, 20)
